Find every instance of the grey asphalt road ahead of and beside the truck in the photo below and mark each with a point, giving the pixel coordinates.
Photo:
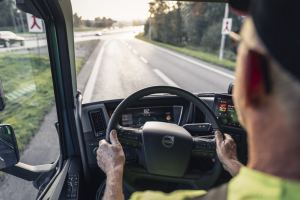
(119, 66)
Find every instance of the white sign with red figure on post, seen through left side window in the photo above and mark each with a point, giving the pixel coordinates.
(35, 25)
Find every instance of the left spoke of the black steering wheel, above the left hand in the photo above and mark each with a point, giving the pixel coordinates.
(131, 137)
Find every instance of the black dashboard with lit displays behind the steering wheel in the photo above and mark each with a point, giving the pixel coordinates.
(164, 108)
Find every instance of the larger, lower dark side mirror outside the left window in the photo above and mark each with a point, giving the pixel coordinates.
(9, 152)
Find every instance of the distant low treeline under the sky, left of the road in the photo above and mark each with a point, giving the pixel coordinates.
(98, 22)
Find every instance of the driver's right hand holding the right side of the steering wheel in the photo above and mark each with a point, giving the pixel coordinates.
(227, 153)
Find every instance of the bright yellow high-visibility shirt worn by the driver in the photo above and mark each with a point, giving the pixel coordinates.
(247, 185)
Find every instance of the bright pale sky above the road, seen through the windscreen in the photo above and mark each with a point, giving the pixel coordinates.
(116, 9)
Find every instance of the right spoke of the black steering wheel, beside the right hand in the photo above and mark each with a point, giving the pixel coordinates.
(204, 146)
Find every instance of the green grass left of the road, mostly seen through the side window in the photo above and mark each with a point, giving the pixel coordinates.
(27, 81)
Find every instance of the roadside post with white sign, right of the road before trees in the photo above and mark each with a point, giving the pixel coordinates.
(226, 29)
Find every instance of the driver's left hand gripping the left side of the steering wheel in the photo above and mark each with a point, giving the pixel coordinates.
(110, 157)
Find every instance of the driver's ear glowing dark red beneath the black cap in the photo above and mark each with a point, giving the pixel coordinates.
(257, 83)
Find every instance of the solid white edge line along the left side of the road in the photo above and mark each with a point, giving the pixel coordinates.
(89, 88)
